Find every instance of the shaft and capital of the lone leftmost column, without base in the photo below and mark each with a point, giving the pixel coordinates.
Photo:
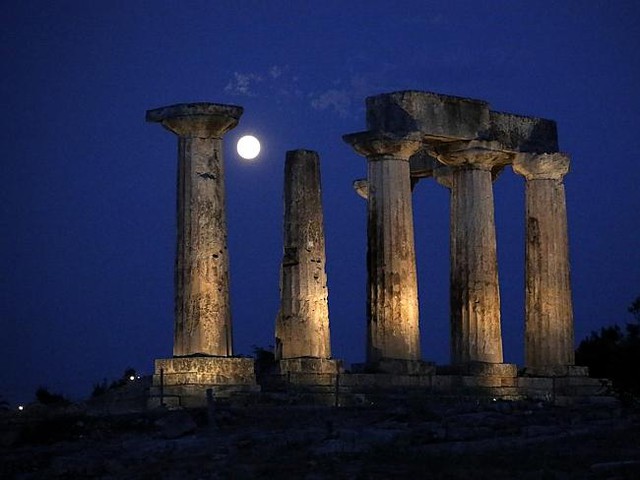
(202, 311)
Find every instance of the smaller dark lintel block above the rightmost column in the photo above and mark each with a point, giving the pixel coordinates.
(523, 134)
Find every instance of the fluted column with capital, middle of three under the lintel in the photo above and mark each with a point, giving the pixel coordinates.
(475, 294)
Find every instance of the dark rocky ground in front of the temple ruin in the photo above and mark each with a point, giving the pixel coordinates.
(413, 439)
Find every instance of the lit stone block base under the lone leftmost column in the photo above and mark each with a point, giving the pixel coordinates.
(184, 381)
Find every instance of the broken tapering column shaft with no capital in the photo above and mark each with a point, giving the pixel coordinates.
(302, 326)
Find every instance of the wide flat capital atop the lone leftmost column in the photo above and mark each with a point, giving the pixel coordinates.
(200, 120)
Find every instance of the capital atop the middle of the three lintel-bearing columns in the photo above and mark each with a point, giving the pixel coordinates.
(478, 154)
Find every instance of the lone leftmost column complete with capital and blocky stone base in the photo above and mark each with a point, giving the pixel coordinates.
(202, 335)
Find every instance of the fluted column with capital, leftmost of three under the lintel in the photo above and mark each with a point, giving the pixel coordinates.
(392, 305)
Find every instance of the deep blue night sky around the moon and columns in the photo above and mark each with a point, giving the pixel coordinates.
(87, 194)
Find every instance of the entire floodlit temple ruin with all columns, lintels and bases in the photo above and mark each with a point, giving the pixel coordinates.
(411, 135)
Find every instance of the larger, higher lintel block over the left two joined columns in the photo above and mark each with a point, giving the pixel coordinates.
(438, 116)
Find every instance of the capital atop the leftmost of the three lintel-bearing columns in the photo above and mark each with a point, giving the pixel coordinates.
(375, 144)
